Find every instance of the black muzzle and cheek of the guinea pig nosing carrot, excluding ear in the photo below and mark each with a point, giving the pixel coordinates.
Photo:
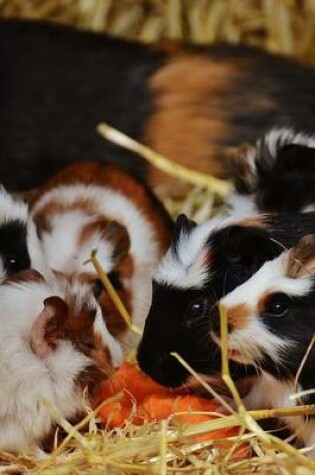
(168, 329)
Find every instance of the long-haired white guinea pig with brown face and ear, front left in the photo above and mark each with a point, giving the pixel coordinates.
(53, 345)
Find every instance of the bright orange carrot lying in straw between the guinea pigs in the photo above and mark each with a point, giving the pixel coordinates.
(142, 399)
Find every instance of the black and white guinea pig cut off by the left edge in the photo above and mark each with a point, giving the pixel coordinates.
(20, 248)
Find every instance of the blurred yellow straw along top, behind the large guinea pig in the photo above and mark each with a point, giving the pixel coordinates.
(285, 26)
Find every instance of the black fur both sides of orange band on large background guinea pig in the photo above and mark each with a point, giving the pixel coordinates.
(53, 96)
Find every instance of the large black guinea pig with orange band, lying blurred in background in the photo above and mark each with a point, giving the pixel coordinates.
(190, 103)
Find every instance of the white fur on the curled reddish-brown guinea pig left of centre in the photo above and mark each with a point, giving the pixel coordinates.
(63, 251)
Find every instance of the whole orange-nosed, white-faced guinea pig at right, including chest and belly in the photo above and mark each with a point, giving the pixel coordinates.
(271, 322)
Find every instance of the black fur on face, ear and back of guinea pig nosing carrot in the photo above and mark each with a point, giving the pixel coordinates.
(237, 252)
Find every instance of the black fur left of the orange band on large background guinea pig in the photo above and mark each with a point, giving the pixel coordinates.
(57, 84)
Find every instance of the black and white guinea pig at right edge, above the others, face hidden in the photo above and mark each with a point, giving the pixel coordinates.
(277, 174)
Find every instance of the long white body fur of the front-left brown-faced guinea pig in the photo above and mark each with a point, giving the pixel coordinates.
(24, 378)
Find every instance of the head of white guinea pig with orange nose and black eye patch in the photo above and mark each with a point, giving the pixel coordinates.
(271, 316)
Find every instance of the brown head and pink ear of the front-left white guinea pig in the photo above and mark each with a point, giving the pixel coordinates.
(77, 318)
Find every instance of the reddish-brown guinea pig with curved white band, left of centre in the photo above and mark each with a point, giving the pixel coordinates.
(93, 206)
